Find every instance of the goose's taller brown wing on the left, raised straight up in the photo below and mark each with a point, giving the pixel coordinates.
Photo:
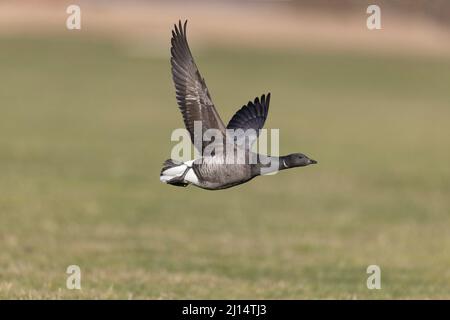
(192, 94)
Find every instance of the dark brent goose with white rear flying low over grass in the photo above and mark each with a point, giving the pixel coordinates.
(211, 171)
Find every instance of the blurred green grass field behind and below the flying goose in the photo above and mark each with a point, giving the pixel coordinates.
(85, 126)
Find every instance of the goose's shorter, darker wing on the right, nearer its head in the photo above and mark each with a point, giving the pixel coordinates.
(251, 116)
